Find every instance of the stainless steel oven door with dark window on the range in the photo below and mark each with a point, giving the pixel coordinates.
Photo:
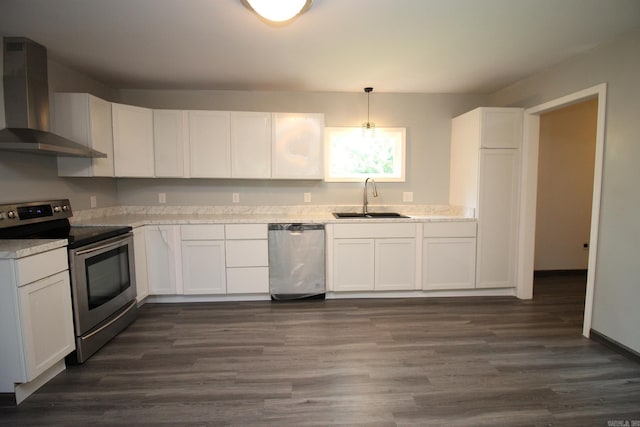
(102, 280)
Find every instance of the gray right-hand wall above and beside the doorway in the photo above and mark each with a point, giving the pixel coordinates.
(617, 281)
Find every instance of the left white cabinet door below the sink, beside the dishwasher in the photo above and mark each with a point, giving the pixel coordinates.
(353, 264)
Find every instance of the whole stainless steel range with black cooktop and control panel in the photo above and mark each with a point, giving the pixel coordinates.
(101, 266)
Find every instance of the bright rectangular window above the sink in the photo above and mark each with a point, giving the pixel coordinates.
(353, 155)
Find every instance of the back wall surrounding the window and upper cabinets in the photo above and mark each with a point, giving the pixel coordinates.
(426, 117)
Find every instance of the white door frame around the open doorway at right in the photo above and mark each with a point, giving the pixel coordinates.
(529, 185)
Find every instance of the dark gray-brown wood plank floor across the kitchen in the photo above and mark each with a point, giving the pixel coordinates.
(400, 362)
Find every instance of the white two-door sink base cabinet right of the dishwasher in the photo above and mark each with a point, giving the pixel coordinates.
(374, 257)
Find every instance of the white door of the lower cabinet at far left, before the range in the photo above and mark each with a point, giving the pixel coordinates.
(47, 322)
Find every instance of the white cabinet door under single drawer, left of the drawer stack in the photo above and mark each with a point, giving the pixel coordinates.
(203, 267)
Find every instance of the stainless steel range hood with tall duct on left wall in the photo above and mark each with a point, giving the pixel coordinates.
(26, 103)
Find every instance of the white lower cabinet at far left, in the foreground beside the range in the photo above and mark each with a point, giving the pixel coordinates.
(36, 320)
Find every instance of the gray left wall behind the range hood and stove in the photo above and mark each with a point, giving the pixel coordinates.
(28, 176)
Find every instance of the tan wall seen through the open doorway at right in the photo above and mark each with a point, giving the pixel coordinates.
(565, 186)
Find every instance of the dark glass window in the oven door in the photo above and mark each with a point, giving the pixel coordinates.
(107, 276)
